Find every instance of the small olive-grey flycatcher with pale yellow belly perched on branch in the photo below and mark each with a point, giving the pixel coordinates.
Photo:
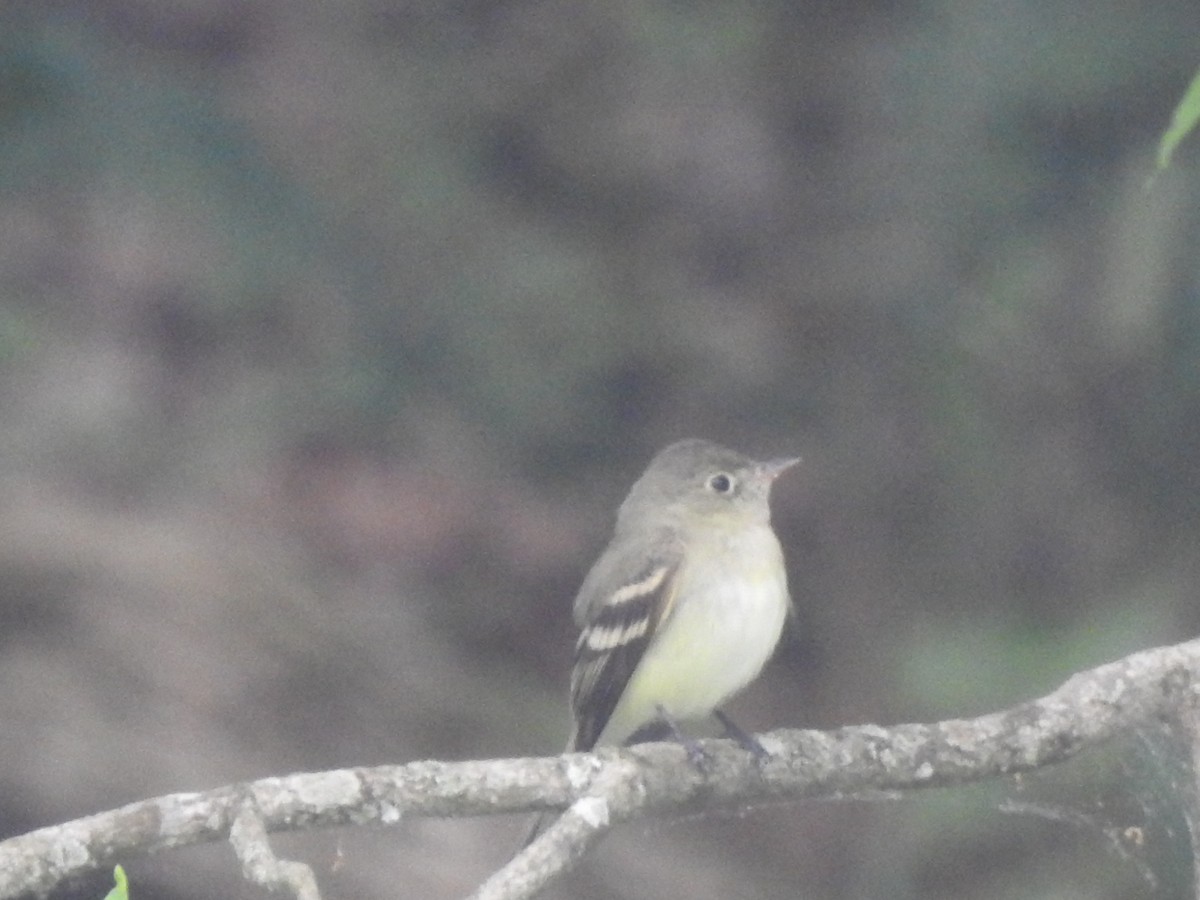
(687, 604)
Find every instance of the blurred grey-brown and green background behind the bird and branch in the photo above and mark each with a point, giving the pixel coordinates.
(332, 335)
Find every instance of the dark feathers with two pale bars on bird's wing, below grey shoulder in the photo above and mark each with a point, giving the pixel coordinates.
(613, 644)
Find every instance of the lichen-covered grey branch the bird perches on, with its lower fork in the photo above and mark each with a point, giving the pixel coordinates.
(613, 787)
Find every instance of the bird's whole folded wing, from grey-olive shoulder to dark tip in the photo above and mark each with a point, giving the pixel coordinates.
(617, 627)
